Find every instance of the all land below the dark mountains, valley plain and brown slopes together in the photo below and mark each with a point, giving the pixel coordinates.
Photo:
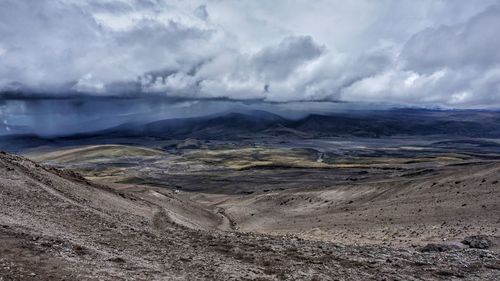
(301, 210)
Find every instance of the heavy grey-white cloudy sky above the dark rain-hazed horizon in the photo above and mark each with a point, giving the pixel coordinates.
(425, 52)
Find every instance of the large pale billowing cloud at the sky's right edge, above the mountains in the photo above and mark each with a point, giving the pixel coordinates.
(455, 66)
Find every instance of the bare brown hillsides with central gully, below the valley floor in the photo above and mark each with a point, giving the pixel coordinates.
(56, 225)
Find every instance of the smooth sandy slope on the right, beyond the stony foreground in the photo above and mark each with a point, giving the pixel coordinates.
(456, 201)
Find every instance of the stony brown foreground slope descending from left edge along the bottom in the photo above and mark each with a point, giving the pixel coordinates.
(54, 225)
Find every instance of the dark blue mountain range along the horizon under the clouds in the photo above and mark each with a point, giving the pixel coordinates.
(262, 124)
